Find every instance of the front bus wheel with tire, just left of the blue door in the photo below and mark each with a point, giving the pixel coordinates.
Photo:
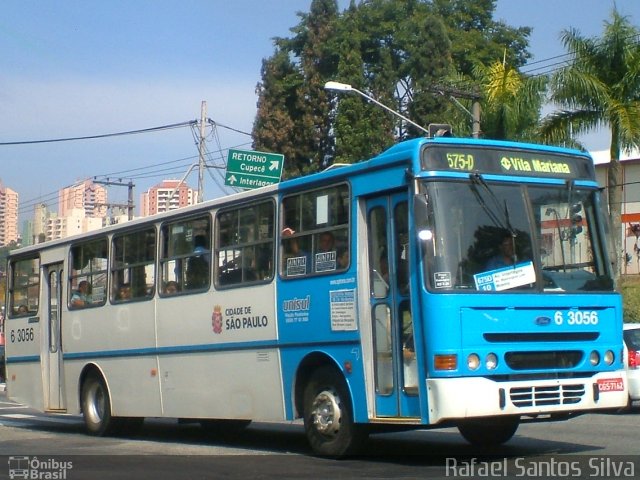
(328, 417)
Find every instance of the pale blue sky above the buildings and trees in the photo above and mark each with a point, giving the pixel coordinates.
(74, 68)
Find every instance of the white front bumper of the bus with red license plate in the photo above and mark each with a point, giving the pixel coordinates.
(458, 398)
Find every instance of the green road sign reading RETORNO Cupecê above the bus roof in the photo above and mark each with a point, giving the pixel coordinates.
(249, 169)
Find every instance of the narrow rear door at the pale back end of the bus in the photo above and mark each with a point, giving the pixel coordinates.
(52, 348)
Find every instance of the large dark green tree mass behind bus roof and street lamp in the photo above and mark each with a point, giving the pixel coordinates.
(395, 51)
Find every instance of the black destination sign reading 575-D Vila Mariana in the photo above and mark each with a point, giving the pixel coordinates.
(522, 162)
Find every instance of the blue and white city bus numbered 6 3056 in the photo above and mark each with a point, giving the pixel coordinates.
(367, 297)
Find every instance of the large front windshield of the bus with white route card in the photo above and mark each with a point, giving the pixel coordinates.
(487, 236)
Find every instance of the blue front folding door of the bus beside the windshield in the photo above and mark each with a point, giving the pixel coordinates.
(394, 357)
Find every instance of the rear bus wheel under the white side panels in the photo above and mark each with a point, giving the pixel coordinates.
(96, 406)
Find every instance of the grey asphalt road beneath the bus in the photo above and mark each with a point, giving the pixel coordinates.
(590, 446)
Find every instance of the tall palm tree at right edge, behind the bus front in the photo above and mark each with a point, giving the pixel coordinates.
(600, 88)
